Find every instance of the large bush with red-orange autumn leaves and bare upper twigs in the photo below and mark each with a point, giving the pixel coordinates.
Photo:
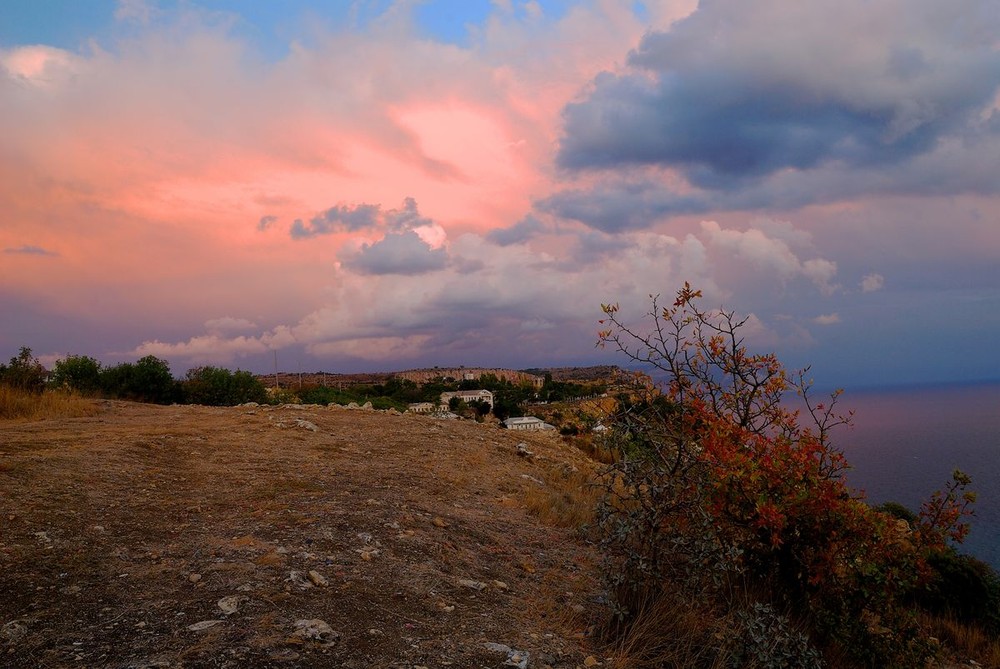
(716, 482)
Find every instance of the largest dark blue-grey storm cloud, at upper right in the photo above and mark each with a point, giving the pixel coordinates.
(740, 91)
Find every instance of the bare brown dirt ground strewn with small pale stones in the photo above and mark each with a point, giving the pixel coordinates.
(183, 536)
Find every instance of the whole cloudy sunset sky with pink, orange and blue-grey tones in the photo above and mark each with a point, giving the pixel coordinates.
(381, 185)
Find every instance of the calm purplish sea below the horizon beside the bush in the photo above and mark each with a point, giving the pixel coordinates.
(905, 444)
